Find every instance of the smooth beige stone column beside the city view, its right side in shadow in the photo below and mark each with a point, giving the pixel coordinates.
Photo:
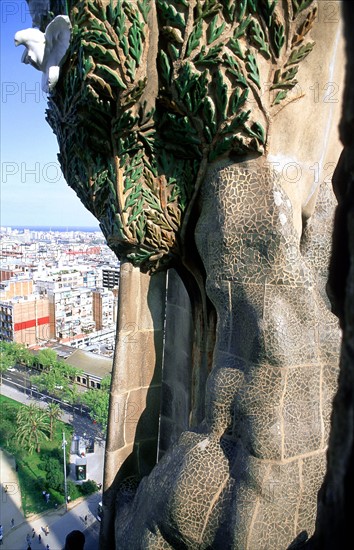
(132, 439)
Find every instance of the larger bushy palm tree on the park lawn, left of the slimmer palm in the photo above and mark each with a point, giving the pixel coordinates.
(32, 426)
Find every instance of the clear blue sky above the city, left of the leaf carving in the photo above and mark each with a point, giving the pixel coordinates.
(33, 191)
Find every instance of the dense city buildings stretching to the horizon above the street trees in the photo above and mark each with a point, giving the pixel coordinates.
(58, 285)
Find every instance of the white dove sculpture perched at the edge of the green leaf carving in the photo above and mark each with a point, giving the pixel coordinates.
(45, 51)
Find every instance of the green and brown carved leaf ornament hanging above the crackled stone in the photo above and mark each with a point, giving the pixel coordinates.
(137, 161)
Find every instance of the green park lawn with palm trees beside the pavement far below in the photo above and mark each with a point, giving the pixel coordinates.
(34, 437)
